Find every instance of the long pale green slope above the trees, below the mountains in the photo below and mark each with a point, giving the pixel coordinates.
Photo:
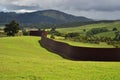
(110, 26)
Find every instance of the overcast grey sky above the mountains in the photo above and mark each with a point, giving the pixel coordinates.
(95, 9)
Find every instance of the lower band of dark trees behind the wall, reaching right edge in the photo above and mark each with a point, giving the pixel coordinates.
(94, 39)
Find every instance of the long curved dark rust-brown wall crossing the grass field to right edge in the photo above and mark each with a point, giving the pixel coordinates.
(81, 53)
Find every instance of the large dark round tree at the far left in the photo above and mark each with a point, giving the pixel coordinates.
(12, 28)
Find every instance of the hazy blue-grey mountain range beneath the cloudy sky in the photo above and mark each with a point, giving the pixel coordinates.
(38, 17)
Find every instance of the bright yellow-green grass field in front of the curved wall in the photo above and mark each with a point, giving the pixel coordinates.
(22, 58)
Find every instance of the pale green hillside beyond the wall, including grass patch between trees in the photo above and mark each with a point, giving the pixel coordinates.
(88, 27)
